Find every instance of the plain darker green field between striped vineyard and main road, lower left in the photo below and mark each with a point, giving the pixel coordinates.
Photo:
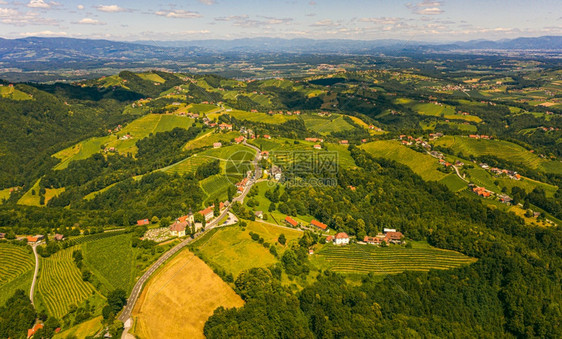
(111, 260)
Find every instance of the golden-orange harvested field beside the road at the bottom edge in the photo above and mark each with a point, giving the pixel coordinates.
(178, 300)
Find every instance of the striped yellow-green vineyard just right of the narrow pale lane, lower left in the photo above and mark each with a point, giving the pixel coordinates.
(60, 283)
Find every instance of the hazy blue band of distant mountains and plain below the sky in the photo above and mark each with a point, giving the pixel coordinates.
(37, 54)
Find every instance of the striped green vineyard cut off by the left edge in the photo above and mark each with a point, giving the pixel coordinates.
(16, 269)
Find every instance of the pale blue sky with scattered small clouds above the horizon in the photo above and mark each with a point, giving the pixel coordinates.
(425, 20)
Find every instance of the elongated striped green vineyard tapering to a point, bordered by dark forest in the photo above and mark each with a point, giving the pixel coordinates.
(390, 260)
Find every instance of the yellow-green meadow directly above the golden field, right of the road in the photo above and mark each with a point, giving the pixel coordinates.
(233, 250)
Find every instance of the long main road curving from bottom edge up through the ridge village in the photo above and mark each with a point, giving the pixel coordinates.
(125, 316)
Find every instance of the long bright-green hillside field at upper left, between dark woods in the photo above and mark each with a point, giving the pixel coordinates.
(138, 129)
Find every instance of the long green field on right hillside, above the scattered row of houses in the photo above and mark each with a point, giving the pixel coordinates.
(501, 149)
